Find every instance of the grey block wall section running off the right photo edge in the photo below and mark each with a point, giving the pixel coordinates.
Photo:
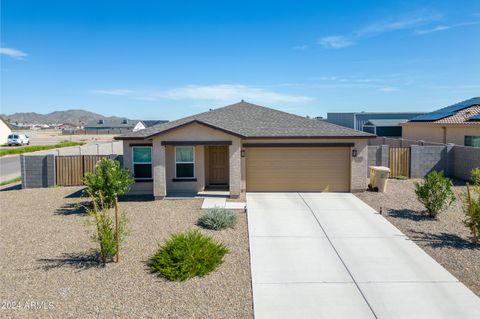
(464, 160)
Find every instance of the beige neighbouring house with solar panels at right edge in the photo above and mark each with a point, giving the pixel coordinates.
(458, 124)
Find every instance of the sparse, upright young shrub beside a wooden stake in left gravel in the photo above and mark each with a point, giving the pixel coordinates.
(106, 233)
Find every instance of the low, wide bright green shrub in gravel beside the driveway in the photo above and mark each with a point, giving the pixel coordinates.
(186, 255)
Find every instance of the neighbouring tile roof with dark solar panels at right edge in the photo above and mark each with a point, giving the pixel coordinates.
(453, 114)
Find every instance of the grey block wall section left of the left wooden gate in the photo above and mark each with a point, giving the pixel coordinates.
(37, 170)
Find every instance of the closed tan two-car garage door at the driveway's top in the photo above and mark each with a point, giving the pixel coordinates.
(309, 169)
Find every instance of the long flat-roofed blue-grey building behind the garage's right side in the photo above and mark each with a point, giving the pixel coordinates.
(356, 120)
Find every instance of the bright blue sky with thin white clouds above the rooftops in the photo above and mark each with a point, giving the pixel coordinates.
(167, 59)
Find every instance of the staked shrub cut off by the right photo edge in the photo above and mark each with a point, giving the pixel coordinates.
(471, 206)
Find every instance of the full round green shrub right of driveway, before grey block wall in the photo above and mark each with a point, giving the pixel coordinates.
(435, 193)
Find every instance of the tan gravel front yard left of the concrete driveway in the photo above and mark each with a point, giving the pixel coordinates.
(46, 256)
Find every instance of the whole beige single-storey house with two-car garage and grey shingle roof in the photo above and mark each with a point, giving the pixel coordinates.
(246, 147)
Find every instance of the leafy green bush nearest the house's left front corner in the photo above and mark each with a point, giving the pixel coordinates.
(108, 181)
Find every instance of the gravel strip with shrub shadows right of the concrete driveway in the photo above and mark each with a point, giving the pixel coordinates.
(446, 239)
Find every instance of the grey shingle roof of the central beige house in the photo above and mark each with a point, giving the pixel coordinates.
(249, 120)
